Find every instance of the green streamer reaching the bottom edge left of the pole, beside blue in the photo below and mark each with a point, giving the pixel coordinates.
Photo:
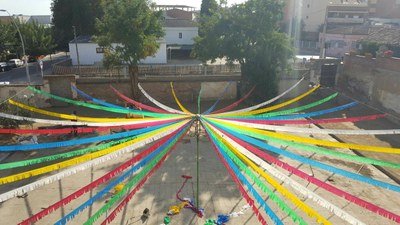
(131, 183)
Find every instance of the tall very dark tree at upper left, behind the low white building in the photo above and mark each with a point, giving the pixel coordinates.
(79, 13)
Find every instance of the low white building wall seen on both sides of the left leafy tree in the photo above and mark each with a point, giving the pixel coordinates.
(89, 56)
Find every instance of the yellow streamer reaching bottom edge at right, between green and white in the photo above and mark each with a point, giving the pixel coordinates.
(290, 196)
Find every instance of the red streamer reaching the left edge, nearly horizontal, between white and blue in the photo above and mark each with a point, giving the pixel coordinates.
(83, 129)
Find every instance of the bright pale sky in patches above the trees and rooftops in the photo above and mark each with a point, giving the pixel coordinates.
(42, 7)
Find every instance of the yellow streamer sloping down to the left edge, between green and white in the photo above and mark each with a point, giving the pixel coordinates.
(81, 159)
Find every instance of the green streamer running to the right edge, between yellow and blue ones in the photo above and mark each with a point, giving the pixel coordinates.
(316, 149)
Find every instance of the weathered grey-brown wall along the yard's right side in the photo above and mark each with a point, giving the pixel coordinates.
(375, 81)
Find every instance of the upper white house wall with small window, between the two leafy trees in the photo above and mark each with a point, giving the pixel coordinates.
(188, 33)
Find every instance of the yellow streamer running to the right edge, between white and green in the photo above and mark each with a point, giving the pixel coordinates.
(313, 141)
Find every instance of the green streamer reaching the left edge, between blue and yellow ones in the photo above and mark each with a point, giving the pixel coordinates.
(64, 155)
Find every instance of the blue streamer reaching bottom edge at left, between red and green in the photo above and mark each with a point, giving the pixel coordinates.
(128, 173)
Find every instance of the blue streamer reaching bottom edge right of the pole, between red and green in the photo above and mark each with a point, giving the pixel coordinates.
(238, 173)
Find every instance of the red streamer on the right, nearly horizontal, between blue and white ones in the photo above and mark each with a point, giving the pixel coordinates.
(316, 121)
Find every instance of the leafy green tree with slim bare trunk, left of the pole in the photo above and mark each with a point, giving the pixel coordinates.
(129, 31)
